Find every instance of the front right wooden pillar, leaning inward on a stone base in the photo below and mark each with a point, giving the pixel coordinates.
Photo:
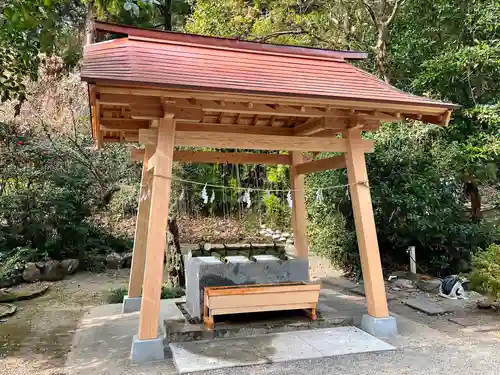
(365, 227)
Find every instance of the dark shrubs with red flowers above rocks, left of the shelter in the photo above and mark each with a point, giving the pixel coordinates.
(49, 189)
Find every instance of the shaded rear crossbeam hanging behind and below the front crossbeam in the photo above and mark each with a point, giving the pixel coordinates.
(187, 156)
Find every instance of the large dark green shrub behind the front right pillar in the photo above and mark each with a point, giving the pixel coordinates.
(417, 200)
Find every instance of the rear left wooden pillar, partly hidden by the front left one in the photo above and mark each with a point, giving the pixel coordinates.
(141, 230)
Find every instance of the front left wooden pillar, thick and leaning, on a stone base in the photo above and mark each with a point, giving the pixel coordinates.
(156, 237)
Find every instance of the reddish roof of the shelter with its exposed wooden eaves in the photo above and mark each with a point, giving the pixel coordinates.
(231, 86)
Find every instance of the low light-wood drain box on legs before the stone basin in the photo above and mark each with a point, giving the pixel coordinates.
(239, 299)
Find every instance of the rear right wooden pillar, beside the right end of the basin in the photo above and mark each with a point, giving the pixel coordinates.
(299, 214)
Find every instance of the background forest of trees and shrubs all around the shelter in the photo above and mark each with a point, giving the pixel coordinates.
(434, 188)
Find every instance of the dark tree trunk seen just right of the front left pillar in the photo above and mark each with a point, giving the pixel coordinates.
(174, 257)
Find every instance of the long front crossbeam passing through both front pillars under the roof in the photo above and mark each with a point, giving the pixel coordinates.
(256, 142)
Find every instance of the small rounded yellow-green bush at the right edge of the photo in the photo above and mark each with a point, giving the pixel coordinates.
(485, 275)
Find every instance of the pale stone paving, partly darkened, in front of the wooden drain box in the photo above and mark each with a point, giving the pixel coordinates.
(273, 348)
